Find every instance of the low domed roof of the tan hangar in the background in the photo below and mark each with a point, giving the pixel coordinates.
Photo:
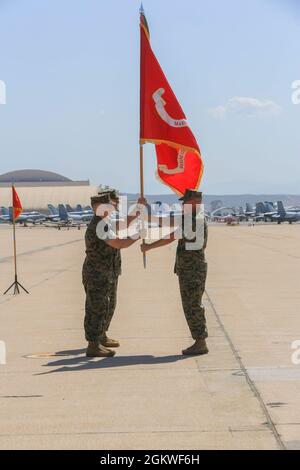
(32, 176)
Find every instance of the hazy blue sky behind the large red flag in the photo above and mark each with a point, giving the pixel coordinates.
(71, 69)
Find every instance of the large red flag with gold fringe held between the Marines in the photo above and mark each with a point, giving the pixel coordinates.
(164, 123)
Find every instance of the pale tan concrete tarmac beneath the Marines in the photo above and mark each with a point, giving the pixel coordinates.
(244, 395)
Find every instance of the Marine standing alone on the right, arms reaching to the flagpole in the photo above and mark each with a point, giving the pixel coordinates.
(191, 269)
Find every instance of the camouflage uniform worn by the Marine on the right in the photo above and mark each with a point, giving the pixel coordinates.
(191, 268)
